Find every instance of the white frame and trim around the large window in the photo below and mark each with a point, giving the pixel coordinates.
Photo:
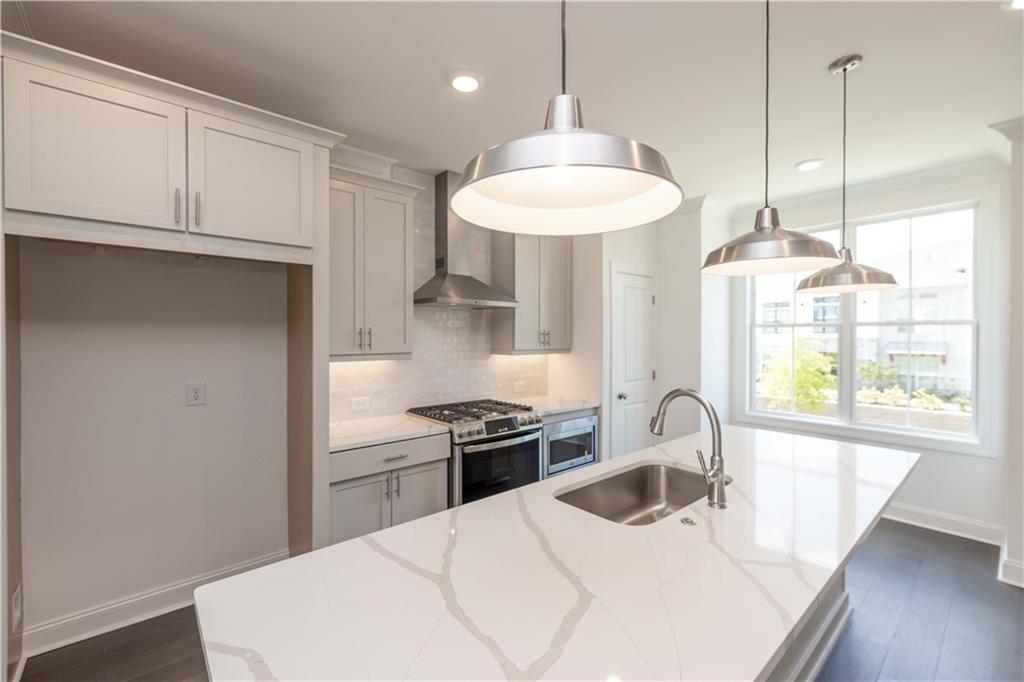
(983, 187)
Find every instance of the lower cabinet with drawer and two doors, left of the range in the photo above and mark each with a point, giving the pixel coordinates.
(366, 502)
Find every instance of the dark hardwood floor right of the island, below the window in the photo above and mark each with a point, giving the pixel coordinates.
(927, 607)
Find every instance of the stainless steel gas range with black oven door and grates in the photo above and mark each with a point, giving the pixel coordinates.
(496, 447)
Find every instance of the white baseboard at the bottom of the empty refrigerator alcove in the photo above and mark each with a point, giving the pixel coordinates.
(82, 625)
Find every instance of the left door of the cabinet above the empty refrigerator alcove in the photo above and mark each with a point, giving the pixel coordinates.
(81, 149)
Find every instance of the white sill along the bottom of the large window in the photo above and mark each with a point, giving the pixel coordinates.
(868, 436)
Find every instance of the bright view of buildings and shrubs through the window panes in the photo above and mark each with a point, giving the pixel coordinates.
(903, 359)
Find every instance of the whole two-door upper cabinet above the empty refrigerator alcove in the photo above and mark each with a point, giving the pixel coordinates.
(100, 154)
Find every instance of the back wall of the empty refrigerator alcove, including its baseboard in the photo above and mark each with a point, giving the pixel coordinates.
(127, 492)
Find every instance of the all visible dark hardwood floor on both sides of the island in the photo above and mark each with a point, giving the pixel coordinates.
(927, 607)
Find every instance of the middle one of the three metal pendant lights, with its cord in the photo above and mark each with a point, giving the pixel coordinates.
(770, 249)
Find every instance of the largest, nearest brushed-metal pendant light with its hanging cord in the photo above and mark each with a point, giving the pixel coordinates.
(567, 180)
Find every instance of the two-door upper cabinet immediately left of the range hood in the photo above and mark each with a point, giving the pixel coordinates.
(371, 270)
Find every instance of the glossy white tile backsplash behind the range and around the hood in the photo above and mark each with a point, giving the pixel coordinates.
(451, 359)
